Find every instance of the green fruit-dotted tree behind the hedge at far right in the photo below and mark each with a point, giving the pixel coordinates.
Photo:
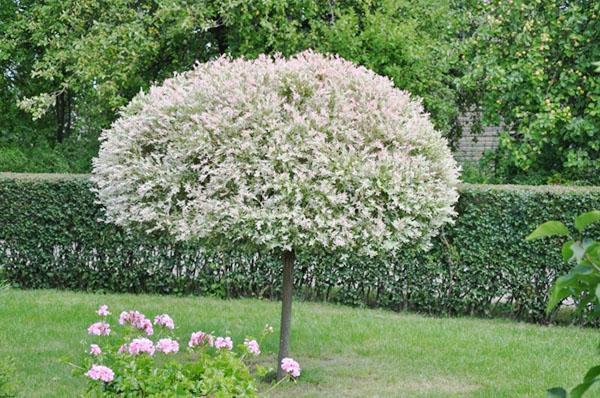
(529, 66)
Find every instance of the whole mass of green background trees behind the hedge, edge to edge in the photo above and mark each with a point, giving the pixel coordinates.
(526, 64)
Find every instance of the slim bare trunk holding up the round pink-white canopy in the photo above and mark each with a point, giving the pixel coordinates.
(286, 310)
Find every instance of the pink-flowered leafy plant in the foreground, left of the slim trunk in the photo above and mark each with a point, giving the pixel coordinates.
(140, 357)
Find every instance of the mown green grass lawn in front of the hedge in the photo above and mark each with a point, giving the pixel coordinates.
(344, 352)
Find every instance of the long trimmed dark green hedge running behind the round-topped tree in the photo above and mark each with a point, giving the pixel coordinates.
(51, 237)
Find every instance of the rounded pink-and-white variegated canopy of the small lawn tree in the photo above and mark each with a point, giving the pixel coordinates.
(310, 152)
